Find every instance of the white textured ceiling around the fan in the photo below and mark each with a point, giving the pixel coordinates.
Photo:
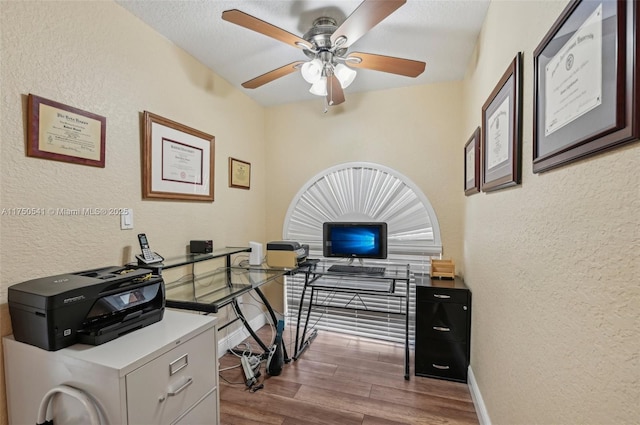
(441, 33)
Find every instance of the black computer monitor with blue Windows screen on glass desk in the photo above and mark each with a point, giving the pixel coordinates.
(354, 239)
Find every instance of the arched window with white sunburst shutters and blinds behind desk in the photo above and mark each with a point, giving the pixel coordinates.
(360, 191)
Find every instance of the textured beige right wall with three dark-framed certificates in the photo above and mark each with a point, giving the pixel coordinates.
(553, 264)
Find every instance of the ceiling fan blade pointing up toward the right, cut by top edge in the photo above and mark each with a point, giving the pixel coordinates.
(369, 14)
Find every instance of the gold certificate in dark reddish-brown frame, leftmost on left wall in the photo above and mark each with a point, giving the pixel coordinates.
(64, 133)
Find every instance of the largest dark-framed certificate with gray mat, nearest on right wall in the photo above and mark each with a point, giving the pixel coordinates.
(586, 83)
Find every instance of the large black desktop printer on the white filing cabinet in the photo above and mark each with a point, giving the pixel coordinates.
(90, 307)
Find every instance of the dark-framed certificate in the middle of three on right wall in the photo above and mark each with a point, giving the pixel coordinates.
(501, 143)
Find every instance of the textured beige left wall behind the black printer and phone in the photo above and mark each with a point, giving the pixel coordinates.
(98, 57)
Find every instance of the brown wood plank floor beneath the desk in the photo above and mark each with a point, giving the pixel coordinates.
(342, 380)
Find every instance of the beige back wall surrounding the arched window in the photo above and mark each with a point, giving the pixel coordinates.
(412, 130)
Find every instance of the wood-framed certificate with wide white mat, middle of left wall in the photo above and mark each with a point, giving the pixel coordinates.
(178, 161)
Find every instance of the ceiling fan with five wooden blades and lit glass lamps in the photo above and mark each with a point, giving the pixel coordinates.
(329, 69)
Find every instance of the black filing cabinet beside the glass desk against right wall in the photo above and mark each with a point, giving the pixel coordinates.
(443, 328)
